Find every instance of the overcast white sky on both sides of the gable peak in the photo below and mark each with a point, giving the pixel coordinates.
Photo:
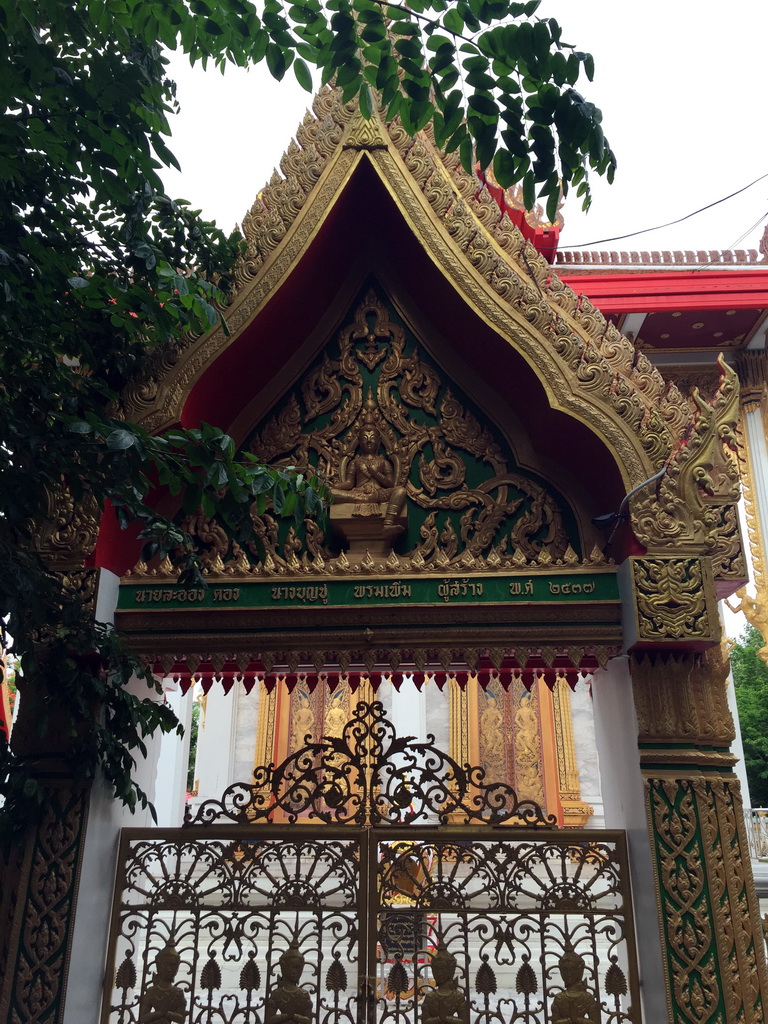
(681, 84)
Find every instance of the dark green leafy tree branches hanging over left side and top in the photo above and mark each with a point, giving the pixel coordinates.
(100, 269)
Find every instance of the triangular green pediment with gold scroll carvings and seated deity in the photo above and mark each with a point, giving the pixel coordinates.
(415, 470)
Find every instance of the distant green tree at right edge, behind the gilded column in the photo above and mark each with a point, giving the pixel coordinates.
(751, 680)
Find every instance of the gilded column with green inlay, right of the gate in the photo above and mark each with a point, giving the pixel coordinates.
(709, 914)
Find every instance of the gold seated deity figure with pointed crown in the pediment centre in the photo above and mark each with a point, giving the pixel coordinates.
(368, 478)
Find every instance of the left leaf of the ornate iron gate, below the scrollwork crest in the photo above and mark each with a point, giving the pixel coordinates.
(203, 921)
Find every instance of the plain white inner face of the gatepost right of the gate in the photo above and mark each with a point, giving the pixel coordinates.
(624, 801)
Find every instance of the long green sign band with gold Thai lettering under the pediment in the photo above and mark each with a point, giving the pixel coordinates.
(552, 588)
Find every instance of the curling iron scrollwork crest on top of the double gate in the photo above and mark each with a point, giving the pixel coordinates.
(369, 776)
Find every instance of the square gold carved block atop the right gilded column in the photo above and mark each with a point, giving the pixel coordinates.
(669, 603)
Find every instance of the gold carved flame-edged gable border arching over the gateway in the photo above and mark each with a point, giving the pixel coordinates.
(590, 371)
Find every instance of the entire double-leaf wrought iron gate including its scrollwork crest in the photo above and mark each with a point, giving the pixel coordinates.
(303, 923)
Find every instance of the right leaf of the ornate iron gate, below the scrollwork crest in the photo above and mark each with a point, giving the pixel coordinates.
(524, 926)
